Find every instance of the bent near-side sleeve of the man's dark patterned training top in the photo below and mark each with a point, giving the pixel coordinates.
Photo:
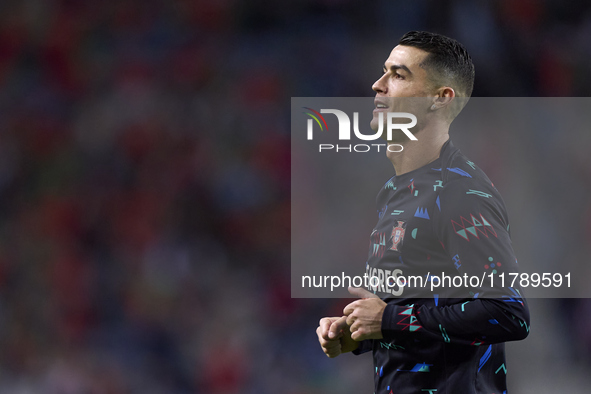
(473, 228)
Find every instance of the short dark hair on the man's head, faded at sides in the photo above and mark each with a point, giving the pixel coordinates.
(447, 58)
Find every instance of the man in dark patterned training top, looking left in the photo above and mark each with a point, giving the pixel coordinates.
(439, 213)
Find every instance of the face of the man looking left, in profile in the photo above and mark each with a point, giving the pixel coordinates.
(403, 77)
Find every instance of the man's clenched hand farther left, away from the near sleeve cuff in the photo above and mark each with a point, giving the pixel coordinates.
(334, 336)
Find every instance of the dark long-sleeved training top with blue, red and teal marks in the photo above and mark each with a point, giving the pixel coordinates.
(443, 221)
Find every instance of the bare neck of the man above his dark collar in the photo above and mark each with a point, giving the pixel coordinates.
(416, 154)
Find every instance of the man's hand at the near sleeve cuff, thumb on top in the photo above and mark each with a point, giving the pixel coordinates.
(364, 316)
